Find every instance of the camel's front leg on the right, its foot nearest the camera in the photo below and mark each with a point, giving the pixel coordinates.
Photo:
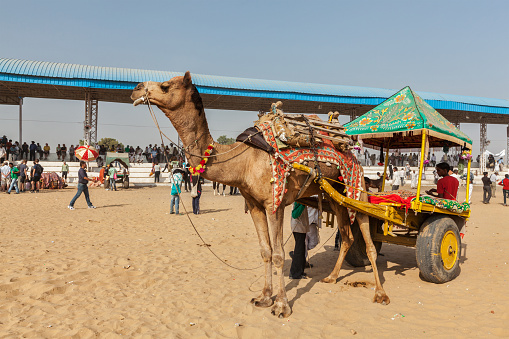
(281, 307)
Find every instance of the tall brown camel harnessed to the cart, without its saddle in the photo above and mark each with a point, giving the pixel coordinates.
(249, 169)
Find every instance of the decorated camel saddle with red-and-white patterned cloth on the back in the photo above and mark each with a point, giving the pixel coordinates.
(291, 138)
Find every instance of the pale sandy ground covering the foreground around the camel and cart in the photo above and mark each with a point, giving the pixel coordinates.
(130, 269)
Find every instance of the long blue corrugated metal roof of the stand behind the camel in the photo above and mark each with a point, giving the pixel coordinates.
(52, 73)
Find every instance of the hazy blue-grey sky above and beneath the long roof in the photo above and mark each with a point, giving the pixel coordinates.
(454, 47)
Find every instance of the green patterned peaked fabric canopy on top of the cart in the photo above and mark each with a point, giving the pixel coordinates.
(402, 118)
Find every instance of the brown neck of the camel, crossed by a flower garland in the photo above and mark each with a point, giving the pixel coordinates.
(192, 127)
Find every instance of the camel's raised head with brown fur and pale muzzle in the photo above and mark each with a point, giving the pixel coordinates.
(169, 95)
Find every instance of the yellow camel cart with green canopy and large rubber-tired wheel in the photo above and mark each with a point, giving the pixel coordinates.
(431, 225)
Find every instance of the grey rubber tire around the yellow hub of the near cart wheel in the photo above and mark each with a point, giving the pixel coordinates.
(428, 247)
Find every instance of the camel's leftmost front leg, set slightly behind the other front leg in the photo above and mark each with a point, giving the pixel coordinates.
(260, 221)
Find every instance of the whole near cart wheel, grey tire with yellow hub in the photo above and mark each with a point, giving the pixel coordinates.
(438, 249)
